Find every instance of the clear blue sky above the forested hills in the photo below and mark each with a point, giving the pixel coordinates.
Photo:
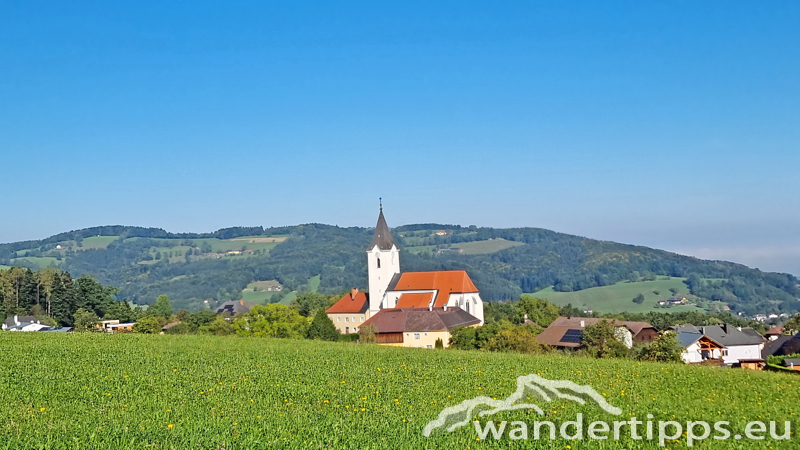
(674, 126)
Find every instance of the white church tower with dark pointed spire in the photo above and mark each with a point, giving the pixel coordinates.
(383, 263)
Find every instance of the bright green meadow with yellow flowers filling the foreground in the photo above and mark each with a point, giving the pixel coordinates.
(99, 391)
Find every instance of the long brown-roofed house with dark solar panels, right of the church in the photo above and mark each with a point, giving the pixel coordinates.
(567, 332)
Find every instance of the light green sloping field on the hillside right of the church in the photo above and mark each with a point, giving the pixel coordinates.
(617, 298)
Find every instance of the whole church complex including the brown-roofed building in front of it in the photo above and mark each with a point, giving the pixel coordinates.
(410, 309)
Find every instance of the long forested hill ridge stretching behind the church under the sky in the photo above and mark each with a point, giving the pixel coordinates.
(193, 268)
